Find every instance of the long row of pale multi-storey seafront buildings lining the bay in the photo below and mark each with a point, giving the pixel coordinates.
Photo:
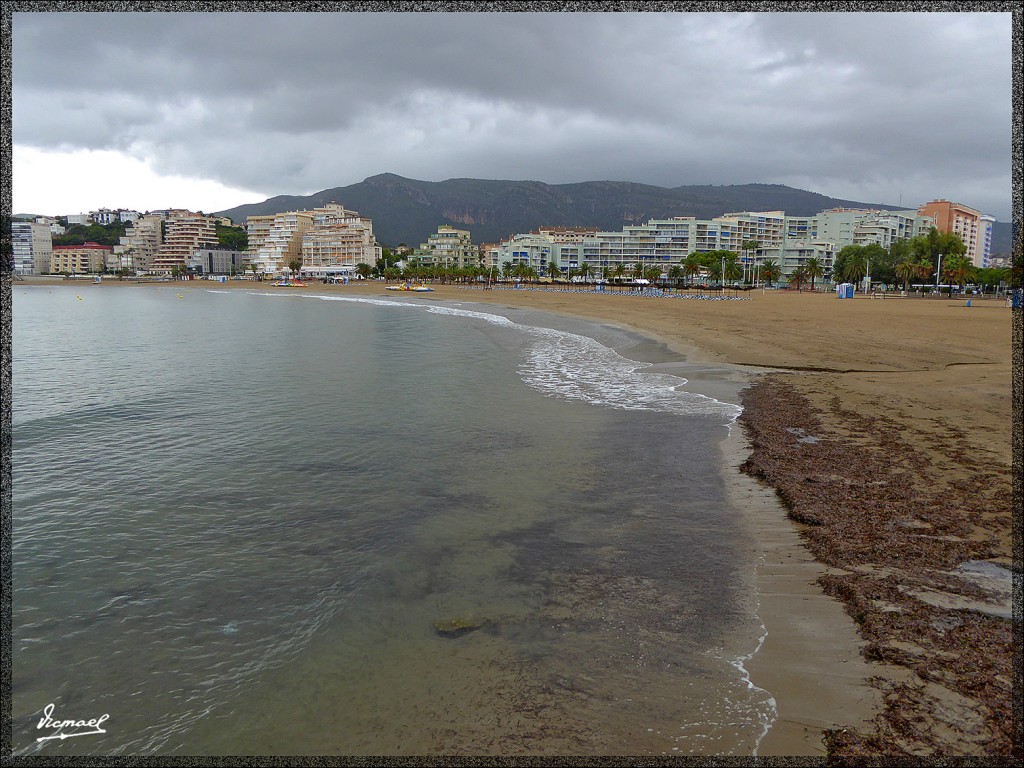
(333, 241)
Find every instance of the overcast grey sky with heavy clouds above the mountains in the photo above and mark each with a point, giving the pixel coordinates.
(210, 111)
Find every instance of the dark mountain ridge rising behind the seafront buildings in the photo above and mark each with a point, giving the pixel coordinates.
(408, 211)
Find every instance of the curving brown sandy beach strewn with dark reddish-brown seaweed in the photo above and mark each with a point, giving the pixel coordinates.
(874, 460)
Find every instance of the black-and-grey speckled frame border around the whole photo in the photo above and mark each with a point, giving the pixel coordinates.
(606, 7)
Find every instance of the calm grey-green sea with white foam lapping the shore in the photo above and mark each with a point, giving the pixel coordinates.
(238, 517)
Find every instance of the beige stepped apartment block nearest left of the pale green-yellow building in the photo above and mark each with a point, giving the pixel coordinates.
(337, 241)
